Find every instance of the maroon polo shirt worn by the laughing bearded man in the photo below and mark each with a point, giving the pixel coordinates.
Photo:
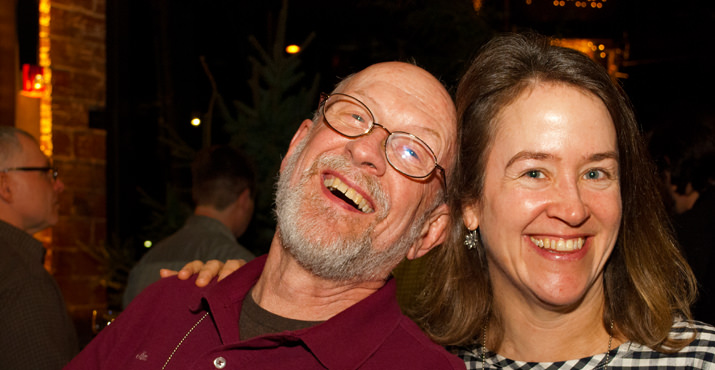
(175, 324)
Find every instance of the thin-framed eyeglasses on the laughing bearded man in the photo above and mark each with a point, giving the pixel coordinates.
(405, 152)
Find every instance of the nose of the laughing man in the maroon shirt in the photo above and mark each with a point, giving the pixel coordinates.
(368, 151)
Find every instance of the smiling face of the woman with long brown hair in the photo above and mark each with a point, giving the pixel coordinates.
(551, 207)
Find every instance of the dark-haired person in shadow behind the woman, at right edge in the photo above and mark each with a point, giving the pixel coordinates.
(684, 151)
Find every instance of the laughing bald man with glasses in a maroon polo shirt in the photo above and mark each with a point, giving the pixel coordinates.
(354, 198)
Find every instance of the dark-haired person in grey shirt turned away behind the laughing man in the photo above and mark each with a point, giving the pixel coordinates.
(224, 190)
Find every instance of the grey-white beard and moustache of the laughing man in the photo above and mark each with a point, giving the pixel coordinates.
(306, 226)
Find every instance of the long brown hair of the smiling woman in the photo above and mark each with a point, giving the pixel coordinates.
(647, 281)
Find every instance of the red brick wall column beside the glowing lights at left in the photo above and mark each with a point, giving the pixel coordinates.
(77, 53)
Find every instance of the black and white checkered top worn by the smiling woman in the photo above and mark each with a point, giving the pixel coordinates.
(699, 354)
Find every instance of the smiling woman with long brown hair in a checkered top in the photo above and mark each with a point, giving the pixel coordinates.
(569, 261)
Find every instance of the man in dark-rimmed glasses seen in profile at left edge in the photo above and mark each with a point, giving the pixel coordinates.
(37, 332)
